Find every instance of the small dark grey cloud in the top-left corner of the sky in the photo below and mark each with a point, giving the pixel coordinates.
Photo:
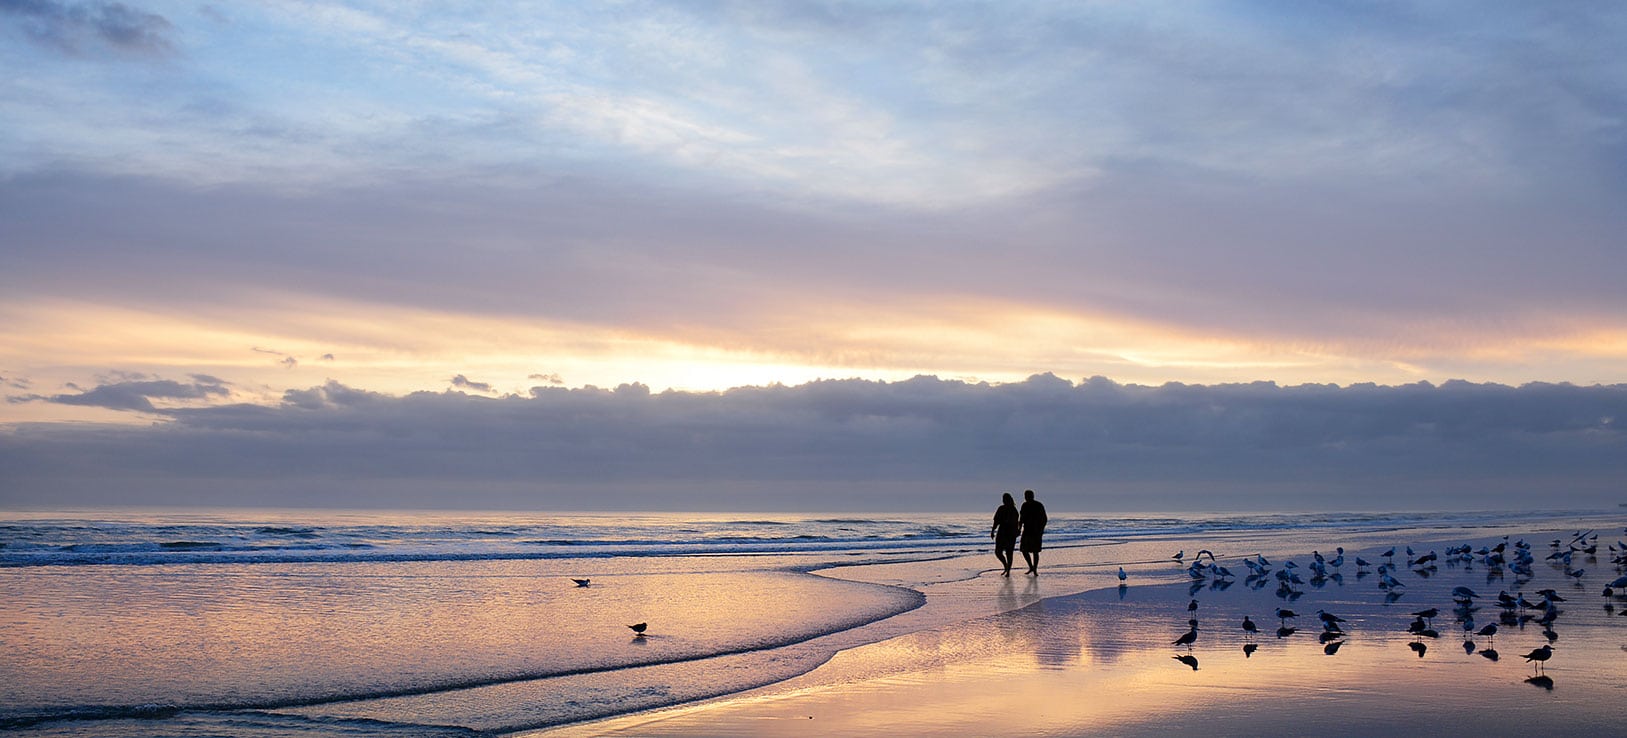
(79, 28)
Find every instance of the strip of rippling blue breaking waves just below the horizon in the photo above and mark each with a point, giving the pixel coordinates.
(220, 542)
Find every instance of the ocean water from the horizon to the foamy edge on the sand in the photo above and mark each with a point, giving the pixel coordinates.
(450, 623)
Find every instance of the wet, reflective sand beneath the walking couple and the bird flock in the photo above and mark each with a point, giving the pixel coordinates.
(1071, 654)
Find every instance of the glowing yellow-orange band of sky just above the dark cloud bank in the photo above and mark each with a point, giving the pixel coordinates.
(276, 344)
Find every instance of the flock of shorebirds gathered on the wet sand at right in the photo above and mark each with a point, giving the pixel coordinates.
(1512, 610)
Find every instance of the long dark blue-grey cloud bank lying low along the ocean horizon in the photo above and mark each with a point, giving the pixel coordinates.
(925, 445)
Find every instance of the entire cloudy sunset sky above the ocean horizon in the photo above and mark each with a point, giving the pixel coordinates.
(793, 254)
